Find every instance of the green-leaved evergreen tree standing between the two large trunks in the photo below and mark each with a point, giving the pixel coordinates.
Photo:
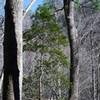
(46, 38)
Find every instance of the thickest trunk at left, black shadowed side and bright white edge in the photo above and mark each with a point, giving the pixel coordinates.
(12, 82)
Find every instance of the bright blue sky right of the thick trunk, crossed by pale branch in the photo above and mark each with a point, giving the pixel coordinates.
(35, 5)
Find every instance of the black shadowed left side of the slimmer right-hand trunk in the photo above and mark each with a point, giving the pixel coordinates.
(67, 14)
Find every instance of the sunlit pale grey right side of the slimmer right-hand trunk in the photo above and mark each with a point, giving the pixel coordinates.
(75, 40)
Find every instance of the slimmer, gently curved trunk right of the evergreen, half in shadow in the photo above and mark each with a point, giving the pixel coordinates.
(73, 38)
